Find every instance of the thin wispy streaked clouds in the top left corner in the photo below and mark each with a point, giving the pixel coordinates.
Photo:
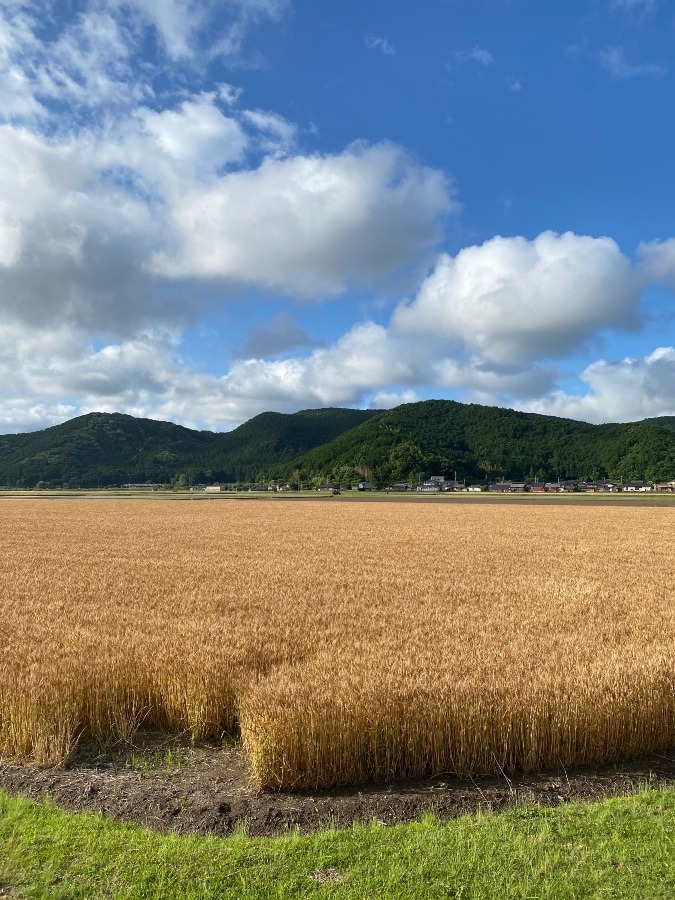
(96, 58)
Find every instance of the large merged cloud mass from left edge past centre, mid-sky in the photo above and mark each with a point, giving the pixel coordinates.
(90, 222)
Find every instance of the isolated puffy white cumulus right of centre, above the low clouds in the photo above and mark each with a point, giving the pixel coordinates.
(510, 300)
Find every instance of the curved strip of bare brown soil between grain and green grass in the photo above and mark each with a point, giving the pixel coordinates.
(166, 784)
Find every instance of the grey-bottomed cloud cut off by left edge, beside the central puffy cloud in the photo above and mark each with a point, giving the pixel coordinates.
(77, 243)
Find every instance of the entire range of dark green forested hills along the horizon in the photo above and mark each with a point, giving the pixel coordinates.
(408, 443)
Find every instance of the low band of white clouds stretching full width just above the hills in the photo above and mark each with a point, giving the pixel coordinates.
(146, 375)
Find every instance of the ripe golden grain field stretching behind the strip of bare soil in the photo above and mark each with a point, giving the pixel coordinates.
(345, 642)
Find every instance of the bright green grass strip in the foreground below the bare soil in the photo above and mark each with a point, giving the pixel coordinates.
(620, 848)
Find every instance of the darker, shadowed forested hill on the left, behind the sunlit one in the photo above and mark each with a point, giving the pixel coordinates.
(111, 448)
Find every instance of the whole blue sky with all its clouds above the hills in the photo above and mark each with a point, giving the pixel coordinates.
(212, 209)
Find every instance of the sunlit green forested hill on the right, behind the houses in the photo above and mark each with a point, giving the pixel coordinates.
(443, 437)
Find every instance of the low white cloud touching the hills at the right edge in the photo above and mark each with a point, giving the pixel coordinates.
(623, 391)
